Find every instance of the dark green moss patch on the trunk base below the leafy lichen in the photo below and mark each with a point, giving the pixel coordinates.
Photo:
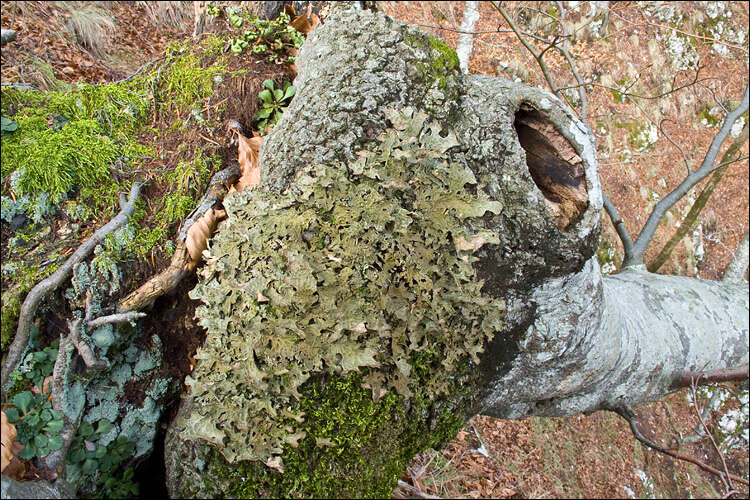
(353, 448)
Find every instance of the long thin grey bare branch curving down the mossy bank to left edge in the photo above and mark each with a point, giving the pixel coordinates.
(51, 283)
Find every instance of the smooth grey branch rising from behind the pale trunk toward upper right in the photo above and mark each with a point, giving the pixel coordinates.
(635, 257)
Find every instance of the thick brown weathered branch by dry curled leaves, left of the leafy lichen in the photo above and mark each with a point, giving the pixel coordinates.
(182, 263)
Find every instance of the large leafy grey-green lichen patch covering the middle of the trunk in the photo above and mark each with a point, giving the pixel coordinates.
(357, 268)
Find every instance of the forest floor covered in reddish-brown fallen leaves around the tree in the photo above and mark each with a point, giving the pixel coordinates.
(581, 456)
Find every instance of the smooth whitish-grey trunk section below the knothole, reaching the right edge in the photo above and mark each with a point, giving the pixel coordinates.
(597, 342)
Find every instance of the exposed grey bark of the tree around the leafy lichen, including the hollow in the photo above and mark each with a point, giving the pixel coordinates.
(574, 341)
